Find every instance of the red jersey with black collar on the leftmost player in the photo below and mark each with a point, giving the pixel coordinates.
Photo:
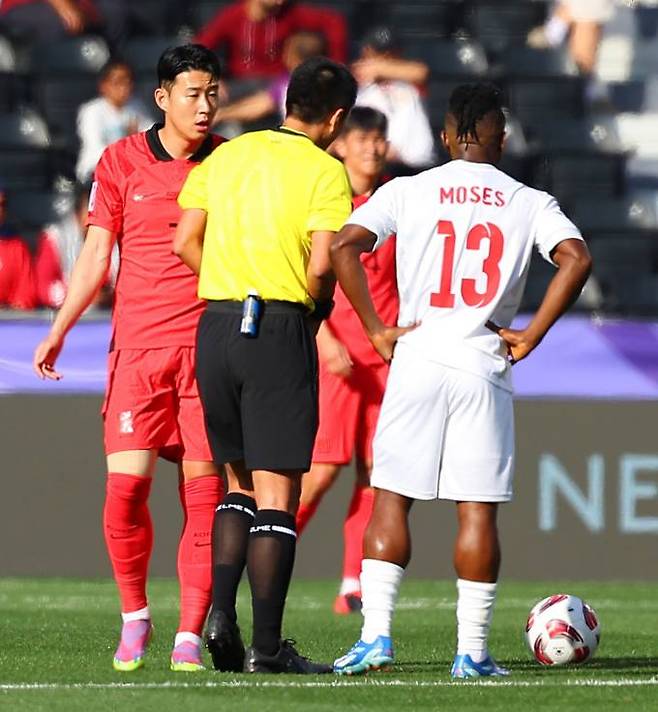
(134, 195)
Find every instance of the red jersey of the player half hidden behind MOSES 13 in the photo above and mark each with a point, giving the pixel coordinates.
(382, 283)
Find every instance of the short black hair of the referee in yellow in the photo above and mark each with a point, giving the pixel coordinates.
(317, 88)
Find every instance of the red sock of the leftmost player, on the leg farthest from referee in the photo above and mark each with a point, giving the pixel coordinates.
(128, 536)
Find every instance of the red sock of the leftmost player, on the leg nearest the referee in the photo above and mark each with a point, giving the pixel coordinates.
(200, 498)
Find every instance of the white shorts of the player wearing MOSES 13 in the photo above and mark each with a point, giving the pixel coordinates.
(443, 433)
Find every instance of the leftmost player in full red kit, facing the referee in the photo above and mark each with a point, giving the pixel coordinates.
(152, 405)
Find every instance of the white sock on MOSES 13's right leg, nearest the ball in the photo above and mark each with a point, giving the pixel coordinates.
(475, 604)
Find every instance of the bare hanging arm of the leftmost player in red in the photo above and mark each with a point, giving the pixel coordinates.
(89, 274)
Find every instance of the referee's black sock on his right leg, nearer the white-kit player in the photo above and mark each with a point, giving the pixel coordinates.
(270, 558)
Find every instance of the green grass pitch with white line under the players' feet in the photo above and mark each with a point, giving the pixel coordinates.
(58, 637)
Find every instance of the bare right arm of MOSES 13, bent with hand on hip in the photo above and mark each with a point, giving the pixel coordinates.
(574, 266)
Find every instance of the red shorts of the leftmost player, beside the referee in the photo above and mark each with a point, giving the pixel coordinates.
(152, 402)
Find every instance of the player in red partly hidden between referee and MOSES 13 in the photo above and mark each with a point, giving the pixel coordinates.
(352, 374)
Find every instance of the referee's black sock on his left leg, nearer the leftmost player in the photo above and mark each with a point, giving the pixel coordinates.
(233, 520)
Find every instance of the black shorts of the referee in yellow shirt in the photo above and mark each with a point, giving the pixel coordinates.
(259, 395)
